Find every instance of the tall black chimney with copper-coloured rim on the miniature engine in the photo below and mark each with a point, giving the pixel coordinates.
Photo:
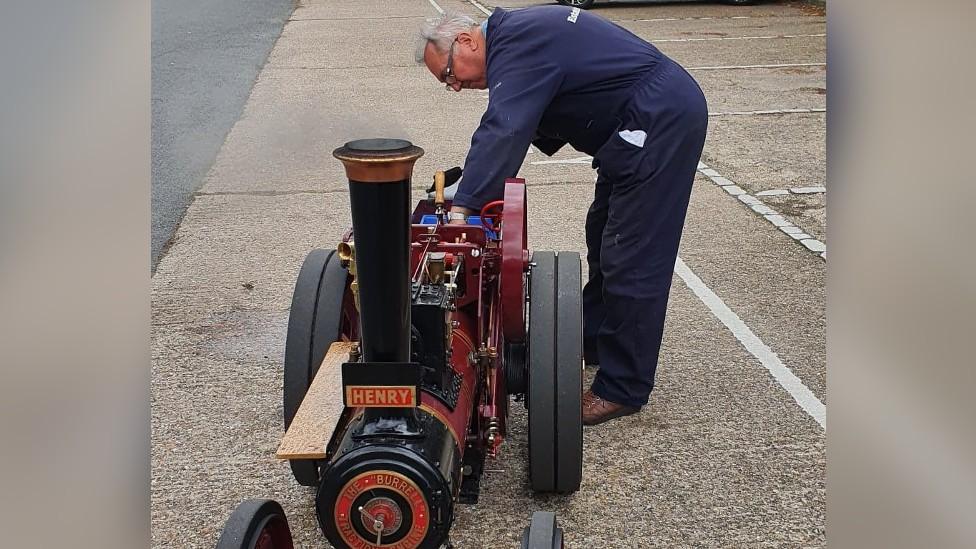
(379, 172)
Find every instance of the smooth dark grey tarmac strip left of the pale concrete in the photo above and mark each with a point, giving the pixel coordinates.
(205, 58)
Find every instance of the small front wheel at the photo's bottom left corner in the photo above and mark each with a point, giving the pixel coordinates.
(256, 524)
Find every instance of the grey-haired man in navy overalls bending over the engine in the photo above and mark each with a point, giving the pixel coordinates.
(558, 75)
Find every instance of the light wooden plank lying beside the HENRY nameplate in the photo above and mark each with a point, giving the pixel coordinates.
(318, 415)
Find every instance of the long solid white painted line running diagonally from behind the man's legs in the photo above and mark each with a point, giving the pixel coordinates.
(783, 375)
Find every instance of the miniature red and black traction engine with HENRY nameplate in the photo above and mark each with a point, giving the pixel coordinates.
(404, 345)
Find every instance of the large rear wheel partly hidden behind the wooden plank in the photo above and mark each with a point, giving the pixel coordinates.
(322, 312)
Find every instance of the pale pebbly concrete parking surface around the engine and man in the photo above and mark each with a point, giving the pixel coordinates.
(730, 452)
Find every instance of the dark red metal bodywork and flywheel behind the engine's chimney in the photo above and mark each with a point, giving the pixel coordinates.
(489, 309)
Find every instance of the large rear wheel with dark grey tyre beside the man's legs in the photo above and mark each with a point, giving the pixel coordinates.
(555, 372)
